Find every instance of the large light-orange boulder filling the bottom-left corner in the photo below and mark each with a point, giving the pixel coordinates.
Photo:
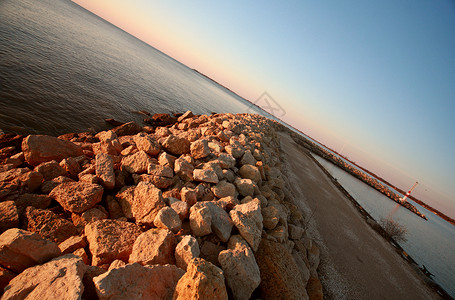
(61, 278)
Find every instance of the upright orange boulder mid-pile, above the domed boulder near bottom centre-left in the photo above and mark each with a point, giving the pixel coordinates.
(148, 201)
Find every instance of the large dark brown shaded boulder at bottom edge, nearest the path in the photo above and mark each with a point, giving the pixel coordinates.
(280, 276)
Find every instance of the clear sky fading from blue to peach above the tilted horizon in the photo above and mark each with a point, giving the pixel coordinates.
(374, 80)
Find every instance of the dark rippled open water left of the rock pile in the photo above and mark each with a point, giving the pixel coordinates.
(63, 69)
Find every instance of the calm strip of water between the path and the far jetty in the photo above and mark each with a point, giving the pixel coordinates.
(430, 243)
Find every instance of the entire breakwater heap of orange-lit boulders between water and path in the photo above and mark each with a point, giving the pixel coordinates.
(194, 210)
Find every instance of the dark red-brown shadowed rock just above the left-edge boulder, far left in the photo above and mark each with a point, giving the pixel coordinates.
(48, 224)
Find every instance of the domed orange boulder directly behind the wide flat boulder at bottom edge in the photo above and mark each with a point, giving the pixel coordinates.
(155, 246)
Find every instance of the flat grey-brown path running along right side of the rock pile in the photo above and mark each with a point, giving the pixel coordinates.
(356, 262)
